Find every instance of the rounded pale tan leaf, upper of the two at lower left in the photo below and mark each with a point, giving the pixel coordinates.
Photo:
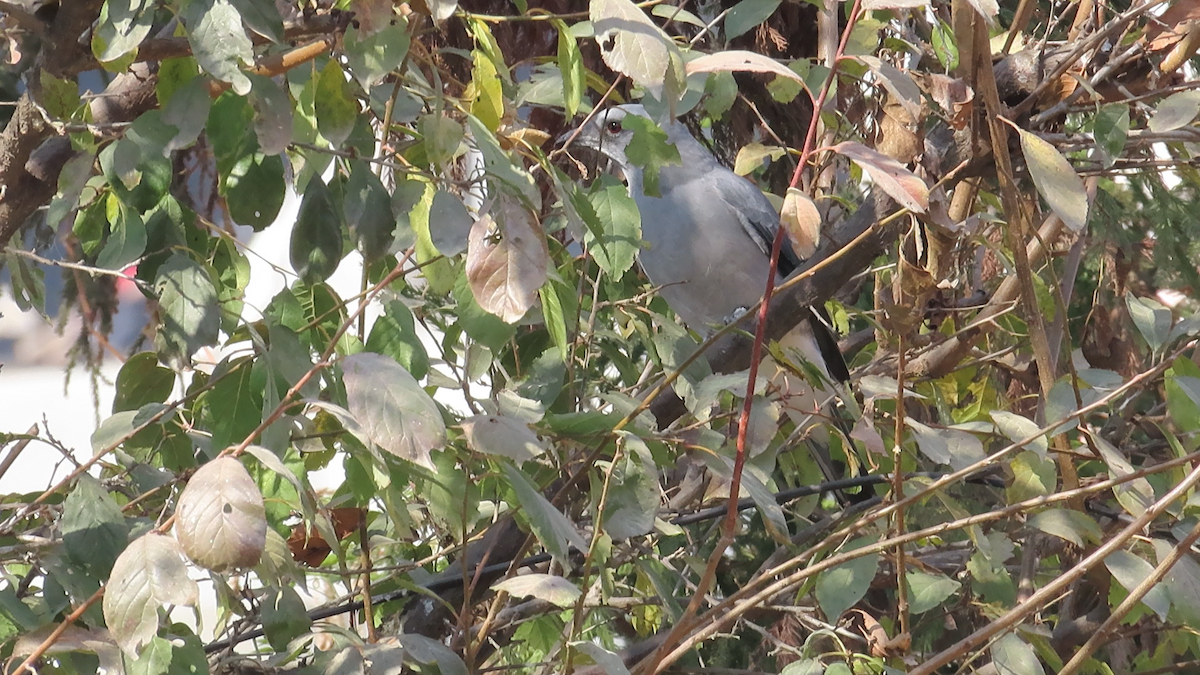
(221, 521)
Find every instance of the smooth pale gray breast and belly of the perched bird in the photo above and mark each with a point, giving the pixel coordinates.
(698, 250)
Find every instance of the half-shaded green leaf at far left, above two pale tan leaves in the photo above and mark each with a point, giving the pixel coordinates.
(94, 531)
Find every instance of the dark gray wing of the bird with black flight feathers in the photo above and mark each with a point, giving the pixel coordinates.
(760, 223)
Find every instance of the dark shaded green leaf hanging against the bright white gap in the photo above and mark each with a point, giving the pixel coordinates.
(316, 248)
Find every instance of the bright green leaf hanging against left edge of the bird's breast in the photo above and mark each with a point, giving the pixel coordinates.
(615, 226)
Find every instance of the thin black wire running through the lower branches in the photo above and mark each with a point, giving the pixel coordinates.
(701, 516)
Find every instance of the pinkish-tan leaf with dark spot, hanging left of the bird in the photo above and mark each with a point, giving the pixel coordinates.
(507, 260)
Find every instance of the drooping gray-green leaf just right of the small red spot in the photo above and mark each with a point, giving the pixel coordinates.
(188, 309)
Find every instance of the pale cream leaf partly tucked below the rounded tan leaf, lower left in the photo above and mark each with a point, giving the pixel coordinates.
(151, 574)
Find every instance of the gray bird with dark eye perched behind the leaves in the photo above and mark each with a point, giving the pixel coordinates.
(709, 240)
